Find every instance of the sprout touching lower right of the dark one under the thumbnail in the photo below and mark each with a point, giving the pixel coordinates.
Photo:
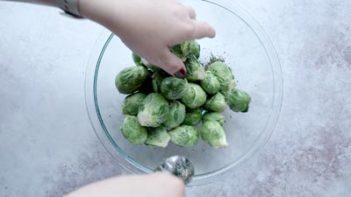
(194, 96)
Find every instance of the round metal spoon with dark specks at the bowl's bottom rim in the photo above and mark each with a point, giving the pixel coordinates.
(179, 166)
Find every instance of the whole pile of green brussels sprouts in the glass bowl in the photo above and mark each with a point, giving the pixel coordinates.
(160, 108)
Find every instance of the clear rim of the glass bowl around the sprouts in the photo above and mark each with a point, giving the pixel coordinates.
(134, 167)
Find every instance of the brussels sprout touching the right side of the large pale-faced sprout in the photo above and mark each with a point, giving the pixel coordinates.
(176, 115)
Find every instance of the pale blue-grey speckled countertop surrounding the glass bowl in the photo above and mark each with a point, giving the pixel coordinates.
(47, 146)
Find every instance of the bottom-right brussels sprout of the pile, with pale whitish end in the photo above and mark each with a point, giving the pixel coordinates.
(213, 134)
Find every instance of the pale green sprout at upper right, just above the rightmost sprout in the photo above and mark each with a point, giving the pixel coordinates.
(223, 74)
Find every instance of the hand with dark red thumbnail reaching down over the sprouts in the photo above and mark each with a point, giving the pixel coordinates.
(149, 27)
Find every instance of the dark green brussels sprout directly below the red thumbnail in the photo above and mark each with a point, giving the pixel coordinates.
(173, 88)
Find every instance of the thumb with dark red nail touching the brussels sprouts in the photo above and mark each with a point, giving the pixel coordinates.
(172, 64)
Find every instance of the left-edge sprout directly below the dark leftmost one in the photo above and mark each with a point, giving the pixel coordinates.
(131, 103)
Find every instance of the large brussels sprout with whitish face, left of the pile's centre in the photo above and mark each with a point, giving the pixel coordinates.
(153, 110)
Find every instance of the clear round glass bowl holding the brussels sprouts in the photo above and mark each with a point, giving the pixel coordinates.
(251, 56)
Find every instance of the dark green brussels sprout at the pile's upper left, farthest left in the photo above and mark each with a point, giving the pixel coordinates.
(130, 79)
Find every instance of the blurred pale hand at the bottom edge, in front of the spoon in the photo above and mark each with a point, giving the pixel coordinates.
(154, 185)
